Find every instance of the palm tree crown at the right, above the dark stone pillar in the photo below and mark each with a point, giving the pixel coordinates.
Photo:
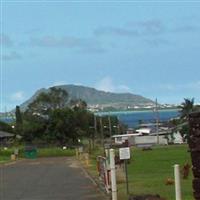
(187, 107)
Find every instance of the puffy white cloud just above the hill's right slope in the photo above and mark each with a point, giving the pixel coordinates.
(106, 84)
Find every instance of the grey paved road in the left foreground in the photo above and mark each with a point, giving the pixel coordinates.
(46, 179)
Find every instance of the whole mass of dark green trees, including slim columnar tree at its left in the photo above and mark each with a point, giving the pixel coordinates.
(54, 118)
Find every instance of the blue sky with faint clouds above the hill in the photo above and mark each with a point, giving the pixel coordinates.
(150, 48)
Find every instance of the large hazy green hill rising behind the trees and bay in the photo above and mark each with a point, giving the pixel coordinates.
(96, 97)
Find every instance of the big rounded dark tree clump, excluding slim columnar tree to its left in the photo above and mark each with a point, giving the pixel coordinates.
(51, 118)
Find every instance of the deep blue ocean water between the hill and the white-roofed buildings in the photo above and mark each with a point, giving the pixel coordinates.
(132, 118)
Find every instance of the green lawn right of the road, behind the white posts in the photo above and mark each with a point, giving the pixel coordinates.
(148, 171)
